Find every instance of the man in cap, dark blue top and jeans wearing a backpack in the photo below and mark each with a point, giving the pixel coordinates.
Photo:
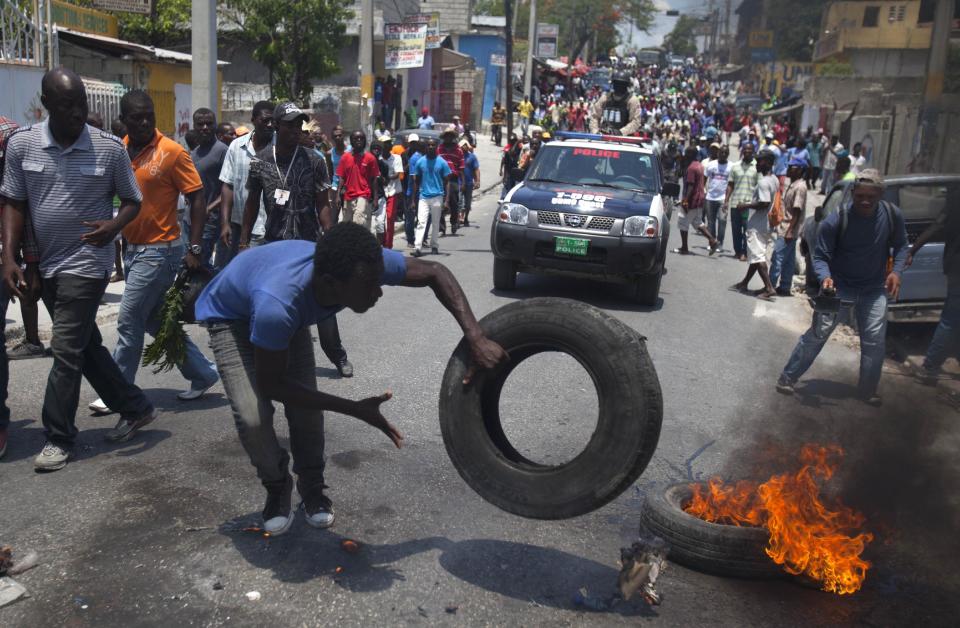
(850, 258)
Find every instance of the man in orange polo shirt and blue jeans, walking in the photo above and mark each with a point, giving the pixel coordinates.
(163, 170)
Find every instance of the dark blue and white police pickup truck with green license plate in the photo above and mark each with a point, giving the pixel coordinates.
(592, 206)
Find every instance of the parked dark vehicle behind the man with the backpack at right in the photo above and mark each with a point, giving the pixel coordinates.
(921, 197)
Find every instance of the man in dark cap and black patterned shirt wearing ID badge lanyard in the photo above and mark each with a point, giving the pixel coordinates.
(292, 183)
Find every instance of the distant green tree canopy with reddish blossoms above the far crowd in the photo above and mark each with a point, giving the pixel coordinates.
(580, 21)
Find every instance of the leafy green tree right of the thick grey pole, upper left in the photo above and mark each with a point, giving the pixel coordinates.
(296, 39)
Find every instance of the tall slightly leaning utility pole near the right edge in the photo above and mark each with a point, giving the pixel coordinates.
(933, 93)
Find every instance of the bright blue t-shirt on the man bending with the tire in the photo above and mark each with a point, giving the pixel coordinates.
(271, 287)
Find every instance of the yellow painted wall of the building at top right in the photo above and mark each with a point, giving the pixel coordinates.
(847, 19)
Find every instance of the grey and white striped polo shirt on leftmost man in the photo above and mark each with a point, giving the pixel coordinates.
(64, 187)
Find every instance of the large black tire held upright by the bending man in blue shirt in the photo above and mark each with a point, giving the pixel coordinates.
(628, 425)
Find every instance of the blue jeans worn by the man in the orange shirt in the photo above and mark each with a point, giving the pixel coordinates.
(149, 273)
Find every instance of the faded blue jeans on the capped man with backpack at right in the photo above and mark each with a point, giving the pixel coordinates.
(870, 308)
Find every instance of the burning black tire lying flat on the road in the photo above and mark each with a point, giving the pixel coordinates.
(722, 550)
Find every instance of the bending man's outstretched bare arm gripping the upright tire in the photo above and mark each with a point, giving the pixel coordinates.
(437, 277)
